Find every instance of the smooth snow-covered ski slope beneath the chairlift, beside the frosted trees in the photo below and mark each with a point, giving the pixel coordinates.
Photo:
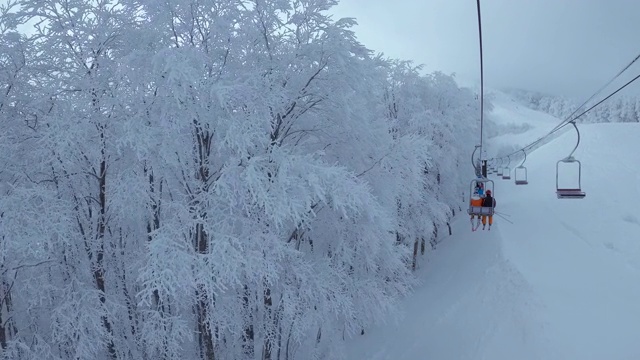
(559, 280)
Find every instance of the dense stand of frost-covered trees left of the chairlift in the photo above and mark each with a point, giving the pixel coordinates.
(199, 179)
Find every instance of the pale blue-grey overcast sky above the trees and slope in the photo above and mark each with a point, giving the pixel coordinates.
(563, 47)
